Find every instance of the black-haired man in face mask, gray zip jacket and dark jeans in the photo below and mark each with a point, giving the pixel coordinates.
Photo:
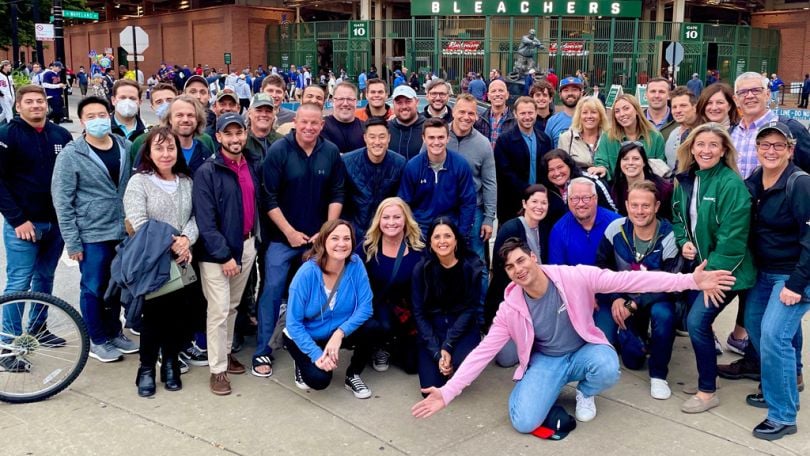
(89, 180)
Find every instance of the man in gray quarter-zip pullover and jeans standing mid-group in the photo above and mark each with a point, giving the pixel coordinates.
(475, 148)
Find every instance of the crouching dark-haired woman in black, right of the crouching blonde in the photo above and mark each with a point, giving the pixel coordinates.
(446, 300)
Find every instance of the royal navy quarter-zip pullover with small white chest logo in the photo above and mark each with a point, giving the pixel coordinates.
(449, 192)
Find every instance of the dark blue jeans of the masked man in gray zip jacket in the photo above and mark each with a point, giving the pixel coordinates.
(100, 315)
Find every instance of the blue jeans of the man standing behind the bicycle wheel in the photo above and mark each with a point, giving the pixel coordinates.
(30, 266)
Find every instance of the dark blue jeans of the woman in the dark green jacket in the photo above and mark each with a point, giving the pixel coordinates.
(699, 323)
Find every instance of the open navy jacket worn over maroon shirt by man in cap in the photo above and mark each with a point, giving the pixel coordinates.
(217, 201)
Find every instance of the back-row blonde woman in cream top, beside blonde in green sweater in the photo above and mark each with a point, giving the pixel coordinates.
(587, 126)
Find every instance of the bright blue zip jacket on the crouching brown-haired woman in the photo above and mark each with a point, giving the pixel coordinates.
(308, 323)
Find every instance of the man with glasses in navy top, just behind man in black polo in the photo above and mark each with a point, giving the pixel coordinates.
(342, 127)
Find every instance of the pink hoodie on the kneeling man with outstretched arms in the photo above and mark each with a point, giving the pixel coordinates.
(577, 286)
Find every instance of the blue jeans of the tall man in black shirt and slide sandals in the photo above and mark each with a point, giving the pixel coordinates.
(277, 262)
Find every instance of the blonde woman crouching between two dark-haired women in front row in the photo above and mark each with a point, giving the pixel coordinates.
(391, 249)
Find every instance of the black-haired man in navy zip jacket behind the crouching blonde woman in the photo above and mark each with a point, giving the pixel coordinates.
(373, 173)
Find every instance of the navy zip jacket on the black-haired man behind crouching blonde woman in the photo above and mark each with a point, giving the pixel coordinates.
(367, 184)
